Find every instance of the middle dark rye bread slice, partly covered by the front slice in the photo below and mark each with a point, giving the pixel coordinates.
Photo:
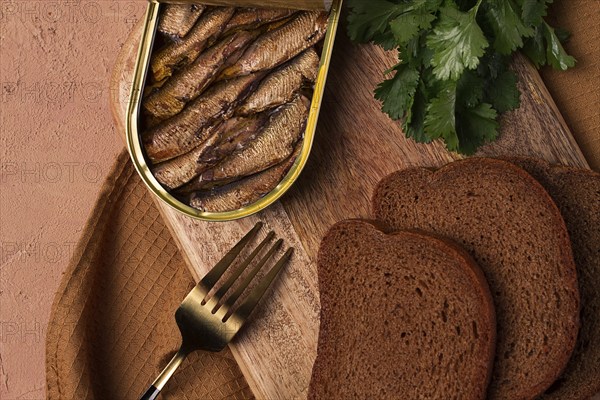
(513, 229)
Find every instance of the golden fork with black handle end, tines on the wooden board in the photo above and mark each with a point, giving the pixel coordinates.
(210, 323)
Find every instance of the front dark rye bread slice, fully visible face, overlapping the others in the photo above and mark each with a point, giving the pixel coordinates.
(403, 315)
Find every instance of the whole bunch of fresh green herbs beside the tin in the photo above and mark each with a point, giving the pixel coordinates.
(453, 79)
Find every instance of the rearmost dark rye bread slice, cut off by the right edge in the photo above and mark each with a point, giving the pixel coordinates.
(576, 192)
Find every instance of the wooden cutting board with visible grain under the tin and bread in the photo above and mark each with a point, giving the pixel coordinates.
(356, 145)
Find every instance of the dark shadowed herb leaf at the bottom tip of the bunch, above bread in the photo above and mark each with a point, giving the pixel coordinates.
(475, 127)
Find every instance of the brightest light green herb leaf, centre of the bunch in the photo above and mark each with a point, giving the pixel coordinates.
(457, 42)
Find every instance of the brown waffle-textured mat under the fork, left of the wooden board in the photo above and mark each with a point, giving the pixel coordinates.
(112, 327)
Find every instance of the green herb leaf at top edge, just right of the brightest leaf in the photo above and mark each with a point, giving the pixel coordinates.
(507, 26)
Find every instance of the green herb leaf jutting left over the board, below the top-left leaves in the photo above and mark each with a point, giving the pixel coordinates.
(396, 93)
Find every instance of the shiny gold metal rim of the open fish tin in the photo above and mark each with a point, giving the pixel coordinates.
(134, 141)
